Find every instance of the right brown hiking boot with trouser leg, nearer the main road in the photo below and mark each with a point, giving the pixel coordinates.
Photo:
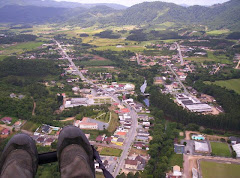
(75, 154)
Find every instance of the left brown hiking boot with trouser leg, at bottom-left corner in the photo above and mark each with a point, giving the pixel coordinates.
(19, 157)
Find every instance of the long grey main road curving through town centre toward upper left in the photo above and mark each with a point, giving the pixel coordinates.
(133, 130)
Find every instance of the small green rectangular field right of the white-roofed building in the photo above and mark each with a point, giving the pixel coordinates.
(220, 149)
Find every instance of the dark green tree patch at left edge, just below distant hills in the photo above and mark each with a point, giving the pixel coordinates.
(17, 38)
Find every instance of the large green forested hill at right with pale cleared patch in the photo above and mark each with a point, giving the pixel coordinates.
(224, 15)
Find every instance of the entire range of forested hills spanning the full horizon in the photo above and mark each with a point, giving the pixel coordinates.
(219, 16)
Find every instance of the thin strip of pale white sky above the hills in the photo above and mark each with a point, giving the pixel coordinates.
(132, 2)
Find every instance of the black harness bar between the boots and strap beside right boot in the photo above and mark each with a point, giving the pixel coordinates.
(51, 157)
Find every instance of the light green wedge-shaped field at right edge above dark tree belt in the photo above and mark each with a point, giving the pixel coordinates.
(232, 84)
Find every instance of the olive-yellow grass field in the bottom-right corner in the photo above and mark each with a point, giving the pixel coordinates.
(219, 170)
